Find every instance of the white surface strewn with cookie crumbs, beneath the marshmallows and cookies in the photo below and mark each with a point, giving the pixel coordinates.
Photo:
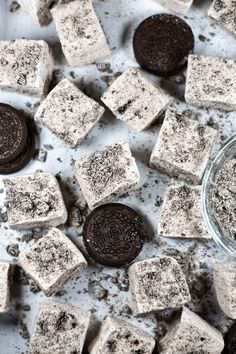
(119, 18)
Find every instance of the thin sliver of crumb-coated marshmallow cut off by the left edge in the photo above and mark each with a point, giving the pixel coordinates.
(5, 283)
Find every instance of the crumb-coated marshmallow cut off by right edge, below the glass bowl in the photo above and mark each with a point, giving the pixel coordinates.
(224, 275)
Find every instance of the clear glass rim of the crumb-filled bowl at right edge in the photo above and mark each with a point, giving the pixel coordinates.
(226, 153)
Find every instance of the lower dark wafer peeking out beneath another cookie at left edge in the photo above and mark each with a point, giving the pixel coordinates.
(23, 159)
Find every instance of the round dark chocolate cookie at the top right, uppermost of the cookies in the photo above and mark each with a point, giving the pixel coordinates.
(162, 44)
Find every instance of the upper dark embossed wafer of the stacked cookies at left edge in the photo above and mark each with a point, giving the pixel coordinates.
(13, 133)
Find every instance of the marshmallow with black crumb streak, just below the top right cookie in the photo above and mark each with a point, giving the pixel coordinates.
(135, 100)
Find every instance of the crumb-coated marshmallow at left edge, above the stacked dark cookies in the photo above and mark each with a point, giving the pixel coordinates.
(25, 65)
